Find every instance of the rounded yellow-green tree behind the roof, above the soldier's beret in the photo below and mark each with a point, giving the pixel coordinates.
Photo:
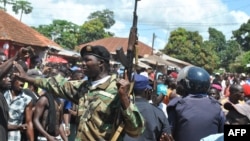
(92, 30)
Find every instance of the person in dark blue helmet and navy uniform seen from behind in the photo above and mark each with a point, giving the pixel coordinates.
(194, 115)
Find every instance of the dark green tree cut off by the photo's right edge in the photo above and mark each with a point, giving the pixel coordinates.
(242, 36)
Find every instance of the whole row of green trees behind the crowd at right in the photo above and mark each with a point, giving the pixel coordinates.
(214, 53)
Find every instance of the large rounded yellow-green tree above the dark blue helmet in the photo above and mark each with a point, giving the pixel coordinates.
(188, 46)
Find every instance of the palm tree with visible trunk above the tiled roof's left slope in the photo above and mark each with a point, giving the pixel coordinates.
(22, 5)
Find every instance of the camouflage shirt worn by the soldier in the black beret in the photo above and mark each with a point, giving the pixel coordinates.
(100, 111)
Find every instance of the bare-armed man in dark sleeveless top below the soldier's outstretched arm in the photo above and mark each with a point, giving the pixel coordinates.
(48, 119)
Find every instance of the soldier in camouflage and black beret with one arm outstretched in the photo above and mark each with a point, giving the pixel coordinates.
(103, 101)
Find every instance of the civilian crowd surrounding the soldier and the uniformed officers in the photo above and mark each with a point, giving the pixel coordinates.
(228, 89)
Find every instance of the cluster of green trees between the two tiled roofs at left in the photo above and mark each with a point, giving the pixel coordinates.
(70, 35)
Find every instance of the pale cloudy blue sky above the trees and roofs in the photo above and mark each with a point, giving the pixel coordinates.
(154, 16)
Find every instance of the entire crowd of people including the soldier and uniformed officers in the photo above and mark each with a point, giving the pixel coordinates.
(88, 102)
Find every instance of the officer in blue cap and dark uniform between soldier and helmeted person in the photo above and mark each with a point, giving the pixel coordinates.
(156, 123)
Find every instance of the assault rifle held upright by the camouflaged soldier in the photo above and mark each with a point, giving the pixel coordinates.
(127, 60)
